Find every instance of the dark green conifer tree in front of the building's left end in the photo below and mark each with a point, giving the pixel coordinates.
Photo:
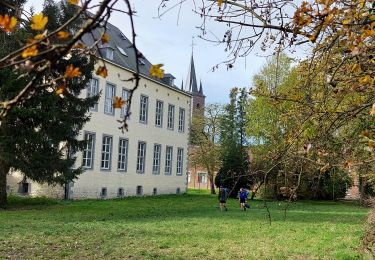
(38, 137)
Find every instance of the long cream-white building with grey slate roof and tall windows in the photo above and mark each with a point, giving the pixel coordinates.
(150, 158)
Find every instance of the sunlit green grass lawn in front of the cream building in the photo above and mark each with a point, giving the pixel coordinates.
(179, 227)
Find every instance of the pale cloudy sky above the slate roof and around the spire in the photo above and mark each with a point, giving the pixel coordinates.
(164, 41)
